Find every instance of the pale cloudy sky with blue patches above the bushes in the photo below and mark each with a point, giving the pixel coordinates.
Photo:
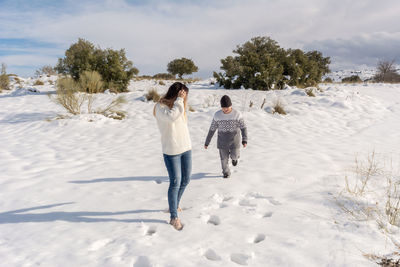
(354, 34)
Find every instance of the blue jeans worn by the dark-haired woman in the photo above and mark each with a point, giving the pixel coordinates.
(179, 168)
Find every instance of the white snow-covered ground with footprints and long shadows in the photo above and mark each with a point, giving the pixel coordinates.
(91, 191)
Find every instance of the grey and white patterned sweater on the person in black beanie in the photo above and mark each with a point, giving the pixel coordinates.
(232, 130)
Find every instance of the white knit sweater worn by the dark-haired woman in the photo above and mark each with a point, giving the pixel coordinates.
(172, 124)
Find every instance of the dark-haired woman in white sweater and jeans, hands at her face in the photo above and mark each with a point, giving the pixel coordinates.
(170, 113)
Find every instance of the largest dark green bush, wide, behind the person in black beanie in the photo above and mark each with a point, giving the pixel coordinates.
(261, 64)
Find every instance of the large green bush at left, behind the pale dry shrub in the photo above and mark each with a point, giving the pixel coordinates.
(115, 69)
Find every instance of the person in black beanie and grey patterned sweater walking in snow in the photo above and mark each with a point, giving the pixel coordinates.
(230, 124)
